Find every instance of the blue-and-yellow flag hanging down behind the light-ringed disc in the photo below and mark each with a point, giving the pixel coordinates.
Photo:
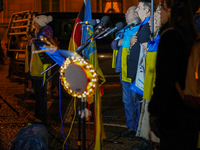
(90, 52)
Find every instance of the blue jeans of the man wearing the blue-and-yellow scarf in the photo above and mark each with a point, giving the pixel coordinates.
(132, 111)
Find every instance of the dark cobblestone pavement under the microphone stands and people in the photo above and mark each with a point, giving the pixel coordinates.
(16, 109)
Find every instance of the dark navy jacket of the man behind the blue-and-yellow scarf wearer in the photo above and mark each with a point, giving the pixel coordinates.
(143, 36)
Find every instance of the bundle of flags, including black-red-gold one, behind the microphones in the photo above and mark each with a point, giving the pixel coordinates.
(79, 36)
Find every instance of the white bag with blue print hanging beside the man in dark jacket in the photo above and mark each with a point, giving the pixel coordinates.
(139, 80)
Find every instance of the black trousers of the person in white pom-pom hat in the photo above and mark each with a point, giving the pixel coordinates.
(41, 100)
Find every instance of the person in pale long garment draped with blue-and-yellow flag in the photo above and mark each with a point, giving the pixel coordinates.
(144, 127)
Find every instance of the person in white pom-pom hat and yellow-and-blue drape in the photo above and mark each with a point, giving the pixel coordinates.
(37, 67)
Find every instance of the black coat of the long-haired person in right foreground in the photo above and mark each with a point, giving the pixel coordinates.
(174, 116)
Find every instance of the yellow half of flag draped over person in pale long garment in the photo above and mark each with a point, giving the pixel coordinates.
(150, 75)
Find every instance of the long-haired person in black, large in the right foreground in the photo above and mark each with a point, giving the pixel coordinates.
(170, 118)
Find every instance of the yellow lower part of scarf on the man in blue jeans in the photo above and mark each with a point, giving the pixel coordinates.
(125, 53)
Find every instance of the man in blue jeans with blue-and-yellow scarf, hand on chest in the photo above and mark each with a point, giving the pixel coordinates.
(122, 44)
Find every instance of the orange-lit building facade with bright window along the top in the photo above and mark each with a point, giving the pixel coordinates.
(13, 6)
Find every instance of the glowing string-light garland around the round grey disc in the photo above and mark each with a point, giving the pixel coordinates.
(88, 73)
